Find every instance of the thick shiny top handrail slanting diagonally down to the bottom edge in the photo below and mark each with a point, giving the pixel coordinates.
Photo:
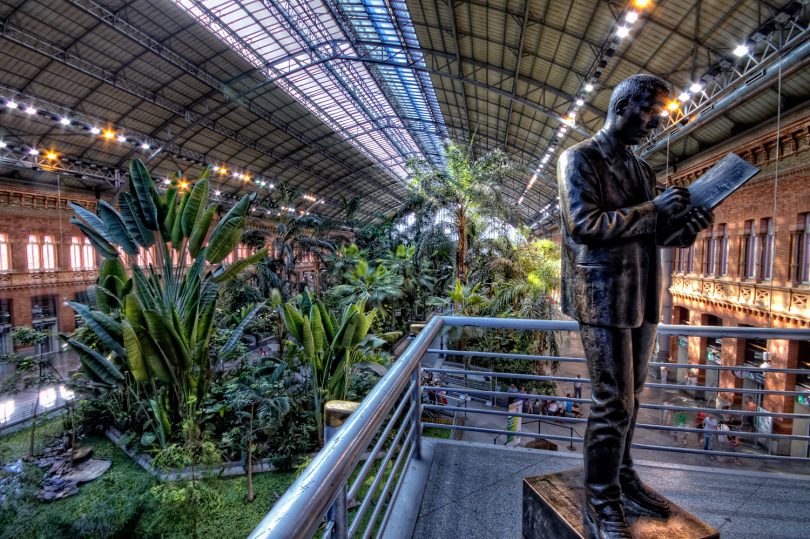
(299, 511)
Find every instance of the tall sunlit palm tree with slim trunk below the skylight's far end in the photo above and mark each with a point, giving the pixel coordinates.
(451, 200)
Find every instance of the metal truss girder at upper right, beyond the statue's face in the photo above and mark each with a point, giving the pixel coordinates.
(725, 85)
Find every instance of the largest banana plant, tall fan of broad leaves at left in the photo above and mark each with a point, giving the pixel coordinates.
(157, 320)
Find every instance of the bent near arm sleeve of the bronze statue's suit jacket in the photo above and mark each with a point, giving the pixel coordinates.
(584, 210)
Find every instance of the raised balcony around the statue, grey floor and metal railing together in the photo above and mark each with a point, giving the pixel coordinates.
(378, 476)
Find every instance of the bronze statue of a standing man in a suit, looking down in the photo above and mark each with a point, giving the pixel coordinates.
(613, 220)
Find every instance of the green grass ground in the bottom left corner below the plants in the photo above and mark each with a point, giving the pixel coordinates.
(123, 502)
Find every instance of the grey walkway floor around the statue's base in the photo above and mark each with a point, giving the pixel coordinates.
(464, 490)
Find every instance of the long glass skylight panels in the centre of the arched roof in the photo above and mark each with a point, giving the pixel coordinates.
(302, 48)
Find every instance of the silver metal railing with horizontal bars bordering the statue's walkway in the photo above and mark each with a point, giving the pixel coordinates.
(350, 487)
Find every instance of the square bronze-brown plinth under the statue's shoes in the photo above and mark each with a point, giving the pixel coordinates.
(553, 505)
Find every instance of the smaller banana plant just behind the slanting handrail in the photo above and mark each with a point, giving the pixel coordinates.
(328, 345)
